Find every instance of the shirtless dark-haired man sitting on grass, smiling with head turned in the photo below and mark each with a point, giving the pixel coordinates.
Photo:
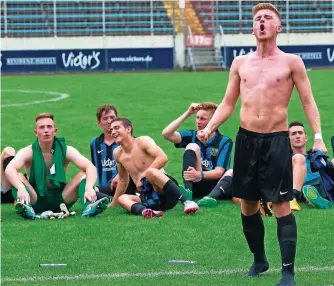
(143, 160)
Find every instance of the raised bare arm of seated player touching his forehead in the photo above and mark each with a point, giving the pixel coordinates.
(170, 132)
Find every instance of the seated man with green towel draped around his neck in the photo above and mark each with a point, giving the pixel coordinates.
(46, 162)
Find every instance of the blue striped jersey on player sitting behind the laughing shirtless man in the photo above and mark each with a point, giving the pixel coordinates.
(103, 159)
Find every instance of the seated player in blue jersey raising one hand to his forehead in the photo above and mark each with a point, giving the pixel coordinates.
(204, 164)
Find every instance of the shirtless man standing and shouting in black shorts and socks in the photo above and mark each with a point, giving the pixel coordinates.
(262, 163)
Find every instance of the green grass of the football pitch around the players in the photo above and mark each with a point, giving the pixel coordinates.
(116, 242)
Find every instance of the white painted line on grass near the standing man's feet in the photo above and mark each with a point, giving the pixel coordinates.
(224, 272)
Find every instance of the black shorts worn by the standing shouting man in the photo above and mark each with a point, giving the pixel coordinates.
(262, 166)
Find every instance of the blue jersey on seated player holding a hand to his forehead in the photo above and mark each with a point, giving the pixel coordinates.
(216, 152)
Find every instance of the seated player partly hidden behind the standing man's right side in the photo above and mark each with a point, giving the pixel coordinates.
(305, 183)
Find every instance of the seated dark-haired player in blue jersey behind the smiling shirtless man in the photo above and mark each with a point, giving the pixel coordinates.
(102, 153)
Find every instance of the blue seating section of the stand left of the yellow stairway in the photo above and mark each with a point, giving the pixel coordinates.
(83, 18)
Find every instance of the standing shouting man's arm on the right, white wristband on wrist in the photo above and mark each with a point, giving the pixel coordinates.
(302, 83)
